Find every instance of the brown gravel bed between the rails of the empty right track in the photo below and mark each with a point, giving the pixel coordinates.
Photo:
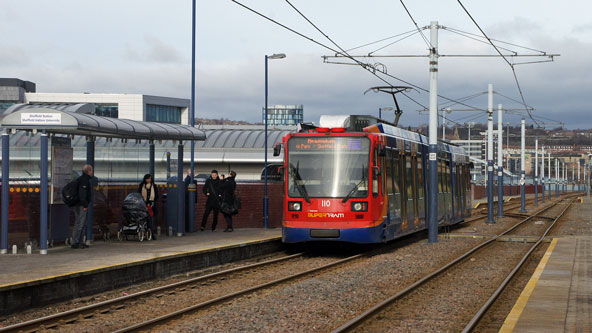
(448, 303)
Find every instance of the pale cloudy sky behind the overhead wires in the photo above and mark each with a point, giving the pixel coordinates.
(144, 46)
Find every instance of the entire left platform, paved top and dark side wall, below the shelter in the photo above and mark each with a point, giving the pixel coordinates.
(33, 280)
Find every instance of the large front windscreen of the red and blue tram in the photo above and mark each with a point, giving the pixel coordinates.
(328, 167)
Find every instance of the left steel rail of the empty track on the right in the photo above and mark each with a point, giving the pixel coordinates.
(380, 306)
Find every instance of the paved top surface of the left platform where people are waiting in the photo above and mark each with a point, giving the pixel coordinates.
(61, 261)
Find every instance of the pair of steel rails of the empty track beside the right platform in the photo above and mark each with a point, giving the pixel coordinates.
(376, 311)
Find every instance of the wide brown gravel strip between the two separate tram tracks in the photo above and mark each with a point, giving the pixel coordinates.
(327, 300)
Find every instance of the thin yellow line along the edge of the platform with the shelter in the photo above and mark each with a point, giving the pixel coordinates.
(131, 263)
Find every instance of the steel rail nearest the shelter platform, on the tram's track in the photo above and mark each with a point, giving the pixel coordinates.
(56, 319)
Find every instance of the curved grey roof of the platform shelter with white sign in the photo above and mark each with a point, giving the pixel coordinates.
(77, 120)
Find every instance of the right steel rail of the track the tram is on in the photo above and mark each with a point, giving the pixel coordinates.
(167, 317)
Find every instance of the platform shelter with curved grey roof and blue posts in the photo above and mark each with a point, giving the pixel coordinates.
(57, 126)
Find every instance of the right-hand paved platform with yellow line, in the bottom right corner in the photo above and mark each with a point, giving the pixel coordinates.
(558, 297)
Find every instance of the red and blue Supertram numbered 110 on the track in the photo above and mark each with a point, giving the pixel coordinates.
(367, 186)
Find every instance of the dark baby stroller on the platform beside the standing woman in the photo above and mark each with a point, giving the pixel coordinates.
(137, 219)
